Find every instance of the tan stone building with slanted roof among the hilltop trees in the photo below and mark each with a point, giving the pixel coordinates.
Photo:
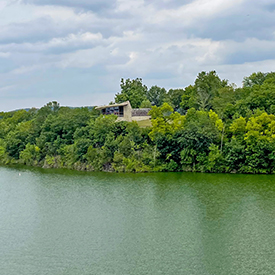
(124, 112)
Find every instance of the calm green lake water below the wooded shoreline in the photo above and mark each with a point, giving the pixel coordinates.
(62, 222)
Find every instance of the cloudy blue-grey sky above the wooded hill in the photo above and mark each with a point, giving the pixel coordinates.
(77, 51)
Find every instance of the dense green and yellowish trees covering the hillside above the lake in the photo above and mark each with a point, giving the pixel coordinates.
(210, 126)
